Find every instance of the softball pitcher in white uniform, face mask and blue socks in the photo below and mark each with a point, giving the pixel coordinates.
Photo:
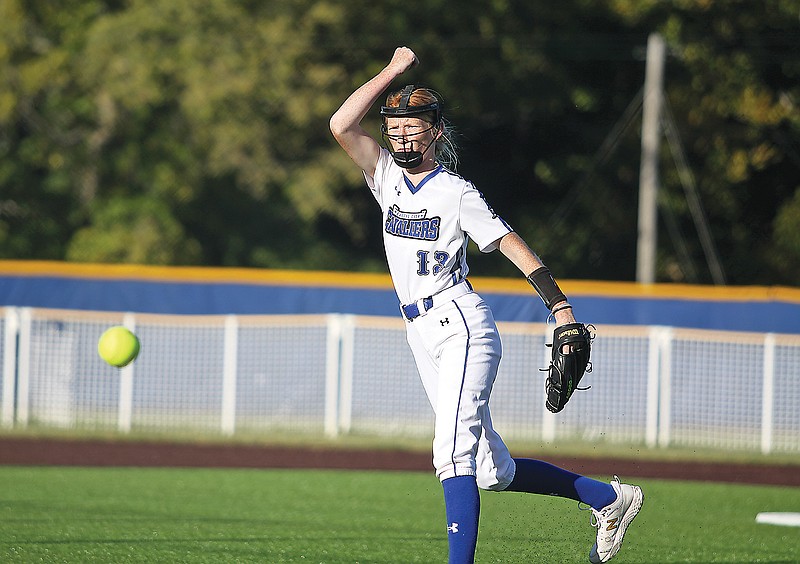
(429, 214)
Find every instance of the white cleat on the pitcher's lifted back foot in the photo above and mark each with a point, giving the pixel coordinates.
(613, 520)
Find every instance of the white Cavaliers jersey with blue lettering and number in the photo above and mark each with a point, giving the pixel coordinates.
(427, 227)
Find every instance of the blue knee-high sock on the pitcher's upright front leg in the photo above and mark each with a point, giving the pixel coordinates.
(462, 506)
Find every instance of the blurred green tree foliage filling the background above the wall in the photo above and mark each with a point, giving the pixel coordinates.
(218, 113)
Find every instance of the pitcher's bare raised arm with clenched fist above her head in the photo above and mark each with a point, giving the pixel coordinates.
(345, 124)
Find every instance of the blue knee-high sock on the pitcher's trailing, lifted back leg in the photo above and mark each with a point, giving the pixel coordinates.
(537, 476)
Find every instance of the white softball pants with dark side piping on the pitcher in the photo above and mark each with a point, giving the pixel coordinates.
(457, 350)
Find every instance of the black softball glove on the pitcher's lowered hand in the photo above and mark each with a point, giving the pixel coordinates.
(571, 347)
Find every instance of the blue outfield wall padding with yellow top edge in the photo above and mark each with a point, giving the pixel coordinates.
(209, 291)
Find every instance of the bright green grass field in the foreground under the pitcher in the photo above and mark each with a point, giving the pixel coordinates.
(67, 514)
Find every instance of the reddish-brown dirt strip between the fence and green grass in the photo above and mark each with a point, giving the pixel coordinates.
(48, 452)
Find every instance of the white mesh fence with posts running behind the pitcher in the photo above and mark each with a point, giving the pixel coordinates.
(339, 374)
